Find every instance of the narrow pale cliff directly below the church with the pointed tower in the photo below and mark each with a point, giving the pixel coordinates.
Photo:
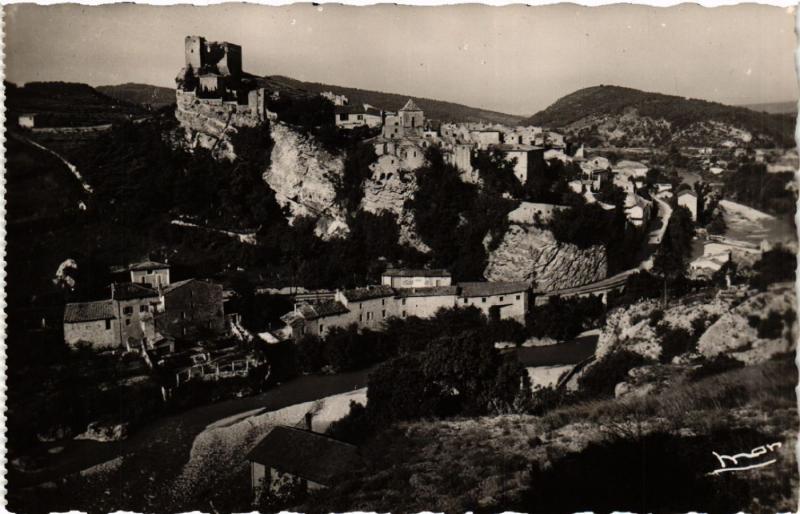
(387, 191)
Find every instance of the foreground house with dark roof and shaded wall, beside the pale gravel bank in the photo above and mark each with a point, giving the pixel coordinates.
(289, 458)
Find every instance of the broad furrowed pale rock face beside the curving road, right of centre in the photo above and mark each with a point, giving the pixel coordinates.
(529, 254)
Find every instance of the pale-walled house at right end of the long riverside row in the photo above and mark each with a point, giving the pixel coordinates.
(497, 300)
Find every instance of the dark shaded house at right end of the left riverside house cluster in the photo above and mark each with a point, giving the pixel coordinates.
(190, 308)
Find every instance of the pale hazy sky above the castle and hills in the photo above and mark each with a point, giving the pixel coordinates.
(514, 59)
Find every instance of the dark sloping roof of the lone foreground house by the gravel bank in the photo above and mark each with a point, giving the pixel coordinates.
(305, 454)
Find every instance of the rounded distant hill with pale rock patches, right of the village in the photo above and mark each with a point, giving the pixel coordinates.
(620, 116)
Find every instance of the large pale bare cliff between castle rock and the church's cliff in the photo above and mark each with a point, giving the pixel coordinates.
(303, 174)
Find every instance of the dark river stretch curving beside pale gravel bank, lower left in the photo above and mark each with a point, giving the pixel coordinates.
(152, 457)
